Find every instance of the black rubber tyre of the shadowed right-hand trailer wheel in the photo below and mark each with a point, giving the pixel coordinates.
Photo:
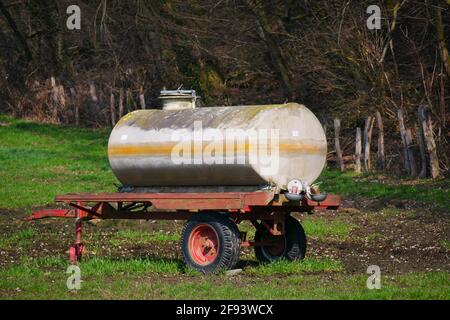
(295, 243)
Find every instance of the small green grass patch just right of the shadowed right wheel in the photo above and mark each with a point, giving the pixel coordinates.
(320, 229)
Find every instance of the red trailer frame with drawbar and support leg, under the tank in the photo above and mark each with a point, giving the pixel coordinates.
(265, 209)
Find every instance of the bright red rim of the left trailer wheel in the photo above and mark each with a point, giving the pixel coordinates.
(203, 244)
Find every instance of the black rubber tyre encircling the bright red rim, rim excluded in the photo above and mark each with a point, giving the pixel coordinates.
(228, 238)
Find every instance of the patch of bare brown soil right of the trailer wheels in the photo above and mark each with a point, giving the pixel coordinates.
(399, 240)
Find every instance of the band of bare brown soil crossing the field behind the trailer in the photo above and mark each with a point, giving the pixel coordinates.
(398, 236)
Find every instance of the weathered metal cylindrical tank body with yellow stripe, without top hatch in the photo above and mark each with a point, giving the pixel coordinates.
(218, 146)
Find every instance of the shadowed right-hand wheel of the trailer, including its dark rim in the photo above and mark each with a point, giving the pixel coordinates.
(290, 246)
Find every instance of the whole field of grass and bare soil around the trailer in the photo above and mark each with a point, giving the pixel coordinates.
(402, 225)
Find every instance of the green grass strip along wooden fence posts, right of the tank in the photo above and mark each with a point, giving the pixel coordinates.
(366, 185)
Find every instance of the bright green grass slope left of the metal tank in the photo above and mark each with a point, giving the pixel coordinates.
(38, 161)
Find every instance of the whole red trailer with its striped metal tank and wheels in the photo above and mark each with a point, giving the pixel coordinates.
(213, 167)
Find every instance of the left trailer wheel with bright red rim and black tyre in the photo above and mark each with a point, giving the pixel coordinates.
(210, 242)
